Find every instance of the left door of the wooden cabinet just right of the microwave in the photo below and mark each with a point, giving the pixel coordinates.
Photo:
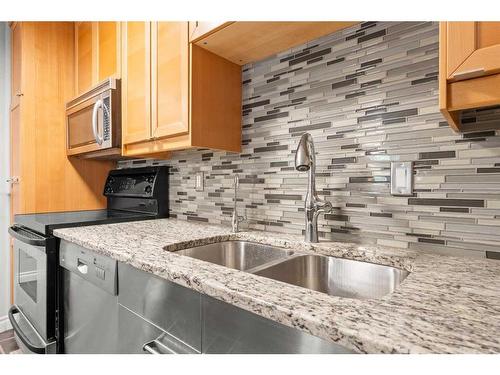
(136, 82)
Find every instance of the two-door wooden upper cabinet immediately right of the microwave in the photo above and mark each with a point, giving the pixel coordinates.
(176, 95)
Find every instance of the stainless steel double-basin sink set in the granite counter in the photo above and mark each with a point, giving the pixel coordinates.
(333, 276)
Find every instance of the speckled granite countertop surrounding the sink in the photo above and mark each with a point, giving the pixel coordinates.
(446, 304)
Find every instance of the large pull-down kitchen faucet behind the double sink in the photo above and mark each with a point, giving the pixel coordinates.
(305, 160)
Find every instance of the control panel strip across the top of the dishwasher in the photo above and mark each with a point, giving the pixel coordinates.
(95, 268)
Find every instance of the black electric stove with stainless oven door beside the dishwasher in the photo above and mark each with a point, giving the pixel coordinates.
(132, 194)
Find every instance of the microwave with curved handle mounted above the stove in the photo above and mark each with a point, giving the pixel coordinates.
(93, 122)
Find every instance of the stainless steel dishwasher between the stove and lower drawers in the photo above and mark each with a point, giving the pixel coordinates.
(90, 292)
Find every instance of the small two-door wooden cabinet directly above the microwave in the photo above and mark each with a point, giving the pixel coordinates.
(97, 51)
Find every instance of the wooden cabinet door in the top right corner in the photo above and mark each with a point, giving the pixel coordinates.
(473, 49)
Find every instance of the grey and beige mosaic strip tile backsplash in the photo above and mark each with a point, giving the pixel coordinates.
(368, 95)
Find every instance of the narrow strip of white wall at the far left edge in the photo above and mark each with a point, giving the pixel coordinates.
(4, 172)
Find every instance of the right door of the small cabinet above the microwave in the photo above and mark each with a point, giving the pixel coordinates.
(108, 50)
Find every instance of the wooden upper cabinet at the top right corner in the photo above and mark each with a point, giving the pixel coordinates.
(469, 67)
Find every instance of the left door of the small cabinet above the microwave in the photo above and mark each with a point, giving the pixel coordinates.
(84, 56)
